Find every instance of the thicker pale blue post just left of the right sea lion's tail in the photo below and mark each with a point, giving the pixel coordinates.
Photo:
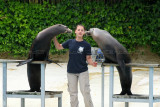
(111, 85)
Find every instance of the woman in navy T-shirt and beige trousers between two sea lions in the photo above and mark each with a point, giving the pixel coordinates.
(77, 68)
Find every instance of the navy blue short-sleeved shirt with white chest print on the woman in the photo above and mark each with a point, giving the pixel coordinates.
(77, 55)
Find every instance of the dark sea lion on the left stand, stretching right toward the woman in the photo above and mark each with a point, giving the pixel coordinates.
(39, 52)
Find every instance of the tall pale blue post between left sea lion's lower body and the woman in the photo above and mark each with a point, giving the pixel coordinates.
(42, 85)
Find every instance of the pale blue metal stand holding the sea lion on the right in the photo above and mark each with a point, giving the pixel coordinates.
(150, 98)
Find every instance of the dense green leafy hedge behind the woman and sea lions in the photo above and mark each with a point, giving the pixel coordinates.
(131, 23)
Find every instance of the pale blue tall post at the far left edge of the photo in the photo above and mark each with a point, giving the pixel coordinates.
(4, 84)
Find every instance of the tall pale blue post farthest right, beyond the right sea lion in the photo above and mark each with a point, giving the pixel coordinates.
(151, 86)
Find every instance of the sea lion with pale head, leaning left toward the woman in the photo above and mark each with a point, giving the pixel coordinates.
(114, 52)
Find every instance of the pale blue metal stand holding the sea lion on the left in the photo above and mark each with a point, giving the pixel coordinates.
(22, 94)
